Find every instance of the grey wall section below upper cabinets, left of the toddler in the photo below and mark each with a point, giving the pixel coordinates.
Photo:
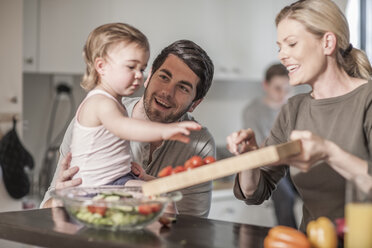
(40, 94)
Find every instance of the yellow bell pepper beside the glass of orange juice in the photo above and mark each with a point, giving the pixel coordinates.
(322, 233)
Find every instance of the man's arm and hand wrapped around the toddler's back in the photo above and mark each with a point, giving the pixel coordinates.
(64, 173)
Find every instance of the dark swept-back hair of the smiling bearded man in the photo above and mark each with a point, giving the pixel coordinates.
(195, 58)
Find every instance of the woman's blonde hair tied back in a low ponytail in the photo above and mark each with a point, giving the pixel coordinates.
(321, 16)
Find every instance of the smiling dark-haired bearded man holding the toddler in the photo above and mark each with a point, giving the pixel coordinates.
(181, 76)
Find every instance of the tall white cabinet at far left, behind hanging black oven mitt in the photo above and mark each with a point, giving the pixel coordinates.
(10, 79)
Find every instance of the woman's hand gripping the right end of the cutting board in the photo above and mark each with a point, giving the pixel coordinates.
(314, 149)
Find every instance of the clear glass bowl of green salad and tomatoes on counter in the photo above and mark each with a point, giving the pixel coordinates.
(113, 207)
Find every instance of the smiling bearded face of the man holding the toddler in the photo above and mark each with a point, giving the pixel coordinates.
(171, 90)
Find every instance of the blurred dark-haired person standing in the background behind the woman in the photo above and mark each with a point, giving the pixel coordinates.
(260, 116)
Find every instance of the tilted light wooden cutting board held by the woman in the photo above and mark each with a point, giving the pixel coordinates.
(222, 168)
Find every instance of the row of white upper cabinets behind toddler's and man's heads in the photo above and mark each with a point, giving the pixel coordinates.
(238, 35)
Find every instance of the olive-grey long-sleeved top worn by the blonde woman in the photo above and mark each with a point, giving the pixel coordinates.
(345, 120)
